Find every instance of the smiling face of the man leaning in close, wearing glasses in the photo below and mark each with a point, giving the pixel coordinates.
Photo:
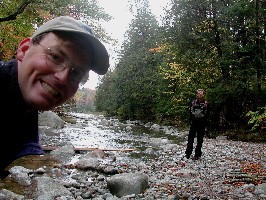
(42, 86)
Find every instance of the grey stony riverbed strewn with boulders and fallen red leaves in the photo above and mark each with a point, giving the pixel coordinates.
(227, 170)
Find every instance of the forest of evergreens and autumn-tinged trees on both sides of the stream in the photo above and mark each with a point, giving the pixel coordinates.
(217, 45)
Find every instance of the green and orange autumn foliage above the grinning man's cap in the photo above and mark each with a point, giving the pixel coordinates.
(19, 26)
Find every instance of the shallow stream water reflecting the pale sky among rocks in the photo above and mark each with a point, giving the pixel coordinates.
(96, 131)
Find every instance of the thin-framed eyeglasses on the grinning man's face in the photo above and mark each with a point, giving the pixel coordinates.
(59, 62)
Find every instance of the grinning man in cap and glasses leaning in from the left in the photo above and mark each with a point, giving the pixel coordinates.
(46, 72)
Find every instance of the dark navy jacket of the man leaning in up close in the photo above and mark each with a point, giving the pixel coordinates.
(19, 127)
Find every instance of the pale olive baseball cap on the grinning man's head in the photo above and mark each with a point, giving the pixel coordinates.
(100, 63)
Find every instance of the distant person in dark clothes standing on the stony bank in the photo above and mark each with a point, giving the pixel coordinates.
(199, 113)
